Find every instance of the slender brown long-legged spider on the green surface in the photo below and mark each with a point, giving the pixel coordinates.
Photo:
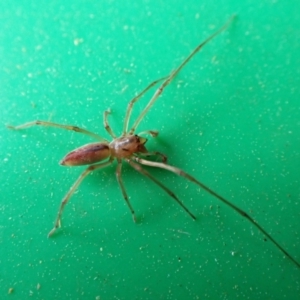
(130, 147)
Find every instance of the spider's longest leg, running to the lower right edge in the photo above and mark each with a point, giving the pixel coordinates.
(207, 189)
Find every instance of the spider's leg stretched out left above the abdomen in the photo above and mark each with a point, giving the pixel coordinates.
(50, 124)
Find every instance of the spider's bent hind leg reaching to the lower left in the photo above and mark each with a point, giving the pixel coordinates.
(72, 190)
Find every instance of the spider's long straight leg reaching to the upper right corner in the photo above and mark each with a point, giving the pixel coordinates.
(173, 74)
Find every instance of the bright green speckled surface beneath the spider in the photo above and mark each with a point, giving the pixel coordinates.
(231, 118)
